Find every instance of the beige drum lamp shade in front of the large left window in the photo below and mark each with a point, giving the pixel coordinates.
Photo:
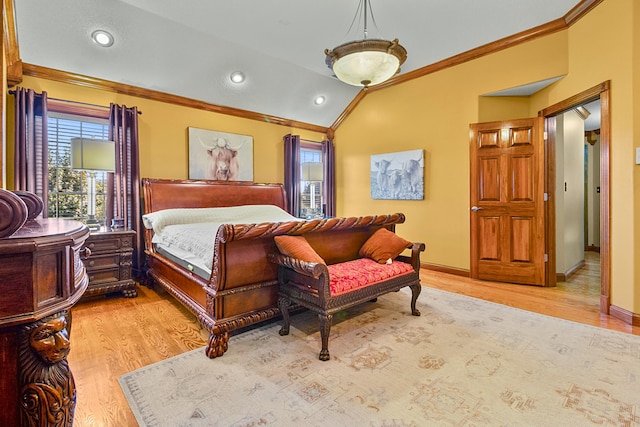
(93, 154)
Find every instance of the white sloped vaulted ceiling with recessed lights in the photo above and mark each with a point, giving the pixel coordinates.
(190, 48)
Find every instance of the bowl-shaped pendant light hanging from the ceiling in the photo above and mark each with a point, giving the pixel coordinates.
(369, 61)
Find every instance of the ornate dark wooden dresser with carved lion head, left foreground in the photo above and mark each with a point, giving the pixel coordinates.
(41, 278)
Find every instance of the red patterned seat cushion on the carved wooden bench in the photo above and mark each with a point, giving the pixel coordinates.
(350, 275)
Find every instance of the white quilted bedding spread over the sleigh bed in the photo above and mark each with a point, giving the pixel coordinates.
(189, 234)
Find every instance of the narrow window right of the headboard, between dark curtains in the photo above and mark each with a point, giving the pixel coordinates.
(312, 194)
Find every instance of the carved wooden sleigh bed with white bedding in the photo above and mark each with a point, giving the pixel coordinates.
(238, 287)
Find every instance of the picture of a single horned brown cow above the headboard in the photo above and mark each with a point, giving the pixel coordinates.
(220, 156)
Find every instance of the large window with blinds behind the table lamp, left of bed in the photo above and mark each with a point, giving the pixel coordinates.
(68, 188)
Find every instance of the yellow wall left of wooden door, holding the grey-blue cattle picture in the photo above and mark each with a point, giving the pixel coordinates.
(433, 113)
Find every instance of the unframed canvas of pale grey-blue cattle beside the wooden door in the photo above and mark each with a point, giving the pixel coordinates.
(398, 176)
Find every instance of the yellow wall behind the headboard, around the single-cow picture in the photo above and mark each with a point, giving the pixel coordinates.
(163, 132)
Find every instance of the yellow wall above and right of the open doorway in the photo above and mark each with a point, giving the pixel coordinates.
(600, 49)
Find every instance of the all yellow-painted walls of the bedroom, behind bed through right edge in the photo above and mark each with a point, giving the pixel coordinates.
(433, 113)
